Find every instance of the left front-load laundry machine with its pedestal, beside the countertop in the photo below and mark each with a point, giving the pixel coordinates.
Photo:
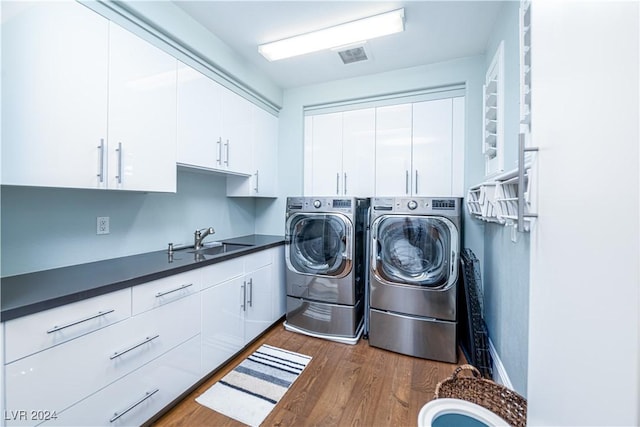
(325, 247)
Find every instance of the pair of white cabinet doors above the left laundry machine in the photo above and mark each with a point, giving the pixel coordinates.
(341, 146)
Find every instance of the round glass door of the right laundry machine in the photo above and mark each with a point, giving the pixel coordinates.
(414, 250)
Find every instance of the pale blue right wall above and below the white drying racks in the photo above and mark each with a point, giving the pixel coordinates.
(506, 263)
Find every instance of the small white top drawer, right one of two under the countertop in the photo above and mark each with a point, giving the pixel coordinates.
(159, 292)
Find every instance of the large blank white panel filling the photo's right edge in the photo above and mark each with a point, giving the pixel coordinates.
(584, 345)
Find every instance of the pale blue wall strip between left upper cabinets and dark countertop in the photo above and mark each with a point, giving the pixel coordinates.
(52, 227)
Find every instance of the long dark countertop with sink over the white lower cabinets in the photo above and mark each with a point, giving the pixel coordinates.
(30, 293)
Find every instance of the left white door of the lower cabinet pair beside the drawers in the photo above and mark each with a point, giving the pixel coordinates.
(222, 322)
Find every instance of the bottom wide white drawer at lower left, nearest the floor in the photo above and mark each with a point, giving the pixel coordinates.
(140, 395)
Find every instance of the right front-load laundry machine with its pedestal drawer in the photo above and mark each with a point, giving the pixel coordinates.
(414, 253)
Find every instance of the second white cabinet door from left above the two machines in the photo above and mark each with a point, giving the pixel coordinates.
(358, 152)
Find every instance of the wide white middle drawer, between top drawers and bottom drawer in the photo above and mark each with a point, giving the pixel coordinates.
(62, 375)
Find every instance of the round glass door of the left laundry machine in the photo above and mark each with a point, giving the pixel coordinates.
(319, 244)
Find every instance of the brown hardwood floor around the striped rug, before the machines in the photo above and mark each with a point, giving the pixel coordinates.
(344, 385)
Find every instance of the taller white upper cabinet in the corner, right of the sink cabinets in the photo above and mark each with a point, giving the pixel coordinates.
(264, 150)
